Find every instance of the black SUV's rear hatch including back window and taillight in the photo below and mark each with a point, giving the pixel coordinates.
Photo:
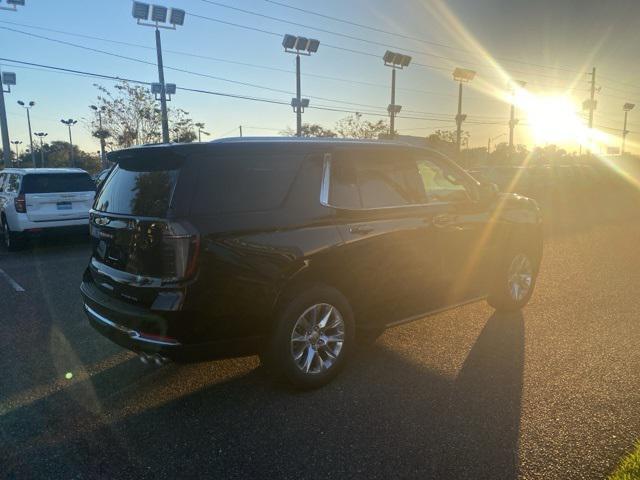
(137, 248)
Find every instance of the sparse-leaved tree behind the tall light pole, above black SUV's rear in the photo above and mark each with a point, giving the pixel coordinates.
(130, 116)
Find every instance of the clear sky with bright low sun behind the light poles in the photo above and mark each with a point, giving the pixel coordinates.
(552, 45)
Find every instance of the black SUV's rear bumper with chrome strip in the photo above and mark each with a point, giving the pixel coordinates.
(141, 330)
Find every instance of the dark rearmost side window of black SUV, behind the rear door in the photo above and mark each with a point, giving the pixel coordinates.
(244, 183)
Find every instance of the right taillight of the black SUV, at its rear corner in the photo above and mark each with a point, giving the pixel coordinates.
(180, 250)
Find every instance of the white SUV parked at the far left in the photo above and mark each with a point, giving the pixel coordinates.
(35, 199)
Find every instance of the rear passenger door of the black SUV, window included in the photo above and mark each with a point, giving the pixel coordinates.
(390, 252)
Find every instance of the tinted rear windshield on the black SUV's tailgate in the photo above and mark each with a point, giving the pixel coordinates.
(139, 189)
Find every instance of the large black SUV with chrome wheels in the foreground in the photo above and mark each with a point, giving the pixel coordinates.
(292, 248)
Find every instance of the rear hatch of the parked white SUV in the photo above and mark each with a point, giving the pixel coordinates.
(58, 196)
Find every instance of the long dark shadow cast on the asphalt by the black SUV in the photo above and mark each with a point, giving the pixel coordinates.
(385, 417)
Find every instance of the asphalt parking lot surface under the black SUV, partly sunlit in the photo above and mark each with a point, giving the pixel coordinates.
(548, 393)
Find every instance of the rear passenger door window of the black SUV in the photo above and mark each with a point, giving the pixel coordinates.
(374, 179)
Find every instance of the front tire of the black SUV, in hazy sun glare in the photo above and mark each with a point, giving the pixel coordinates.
(502, 297)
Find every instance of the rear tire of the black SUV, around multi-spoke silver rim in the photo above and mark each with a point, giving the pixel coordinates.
(278, 356)
